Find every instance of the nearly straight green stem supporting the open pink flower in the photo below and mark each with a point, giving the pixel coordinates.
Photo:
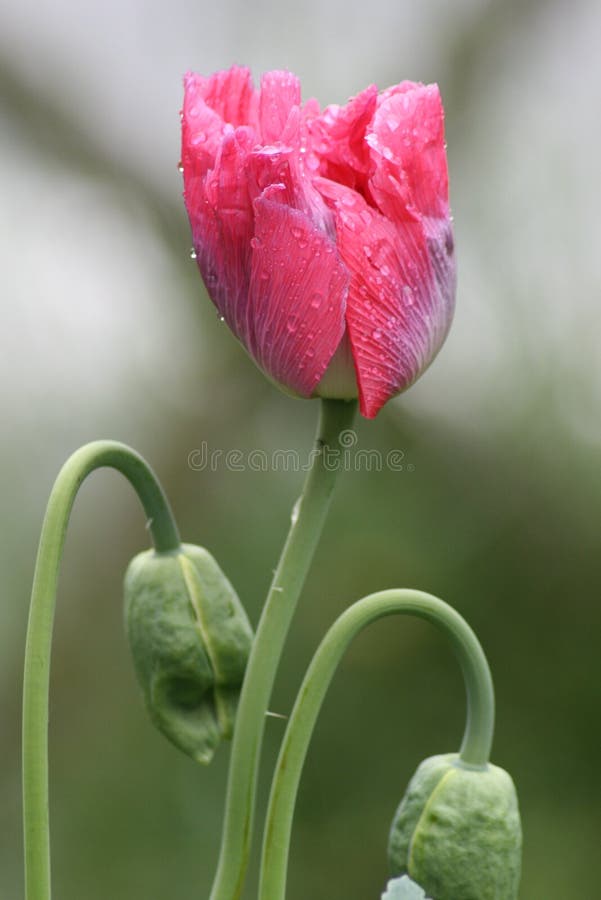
(307, 522)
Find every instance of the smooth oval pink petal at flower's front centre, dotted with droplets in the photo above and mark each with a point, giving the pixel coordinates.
(297, 294)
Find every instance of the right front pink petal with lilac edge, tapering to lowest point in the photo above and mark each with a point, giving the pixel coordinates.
(400, 298)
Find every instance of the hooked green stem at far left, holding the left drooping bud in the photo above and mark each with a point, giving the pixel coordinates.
(39, 632)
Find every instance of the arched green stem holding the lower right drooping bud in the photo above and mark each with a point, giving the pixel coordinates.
(477, 738)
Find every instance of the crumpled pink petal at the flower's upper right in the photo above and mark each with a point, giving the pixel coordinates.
(406, 139)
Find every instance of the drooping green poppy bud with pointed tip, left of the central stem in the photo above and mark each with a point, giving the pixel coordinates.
(190, 640)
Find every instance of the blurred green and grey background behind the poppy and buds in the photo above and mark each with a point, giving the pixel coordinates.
(106, 332)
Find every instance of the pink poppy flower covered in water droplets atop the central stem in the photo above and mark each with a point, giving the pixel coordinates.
(323, 237)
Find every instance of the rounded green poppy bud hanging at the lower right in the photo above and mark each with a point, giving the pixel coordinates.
(457, 831)
